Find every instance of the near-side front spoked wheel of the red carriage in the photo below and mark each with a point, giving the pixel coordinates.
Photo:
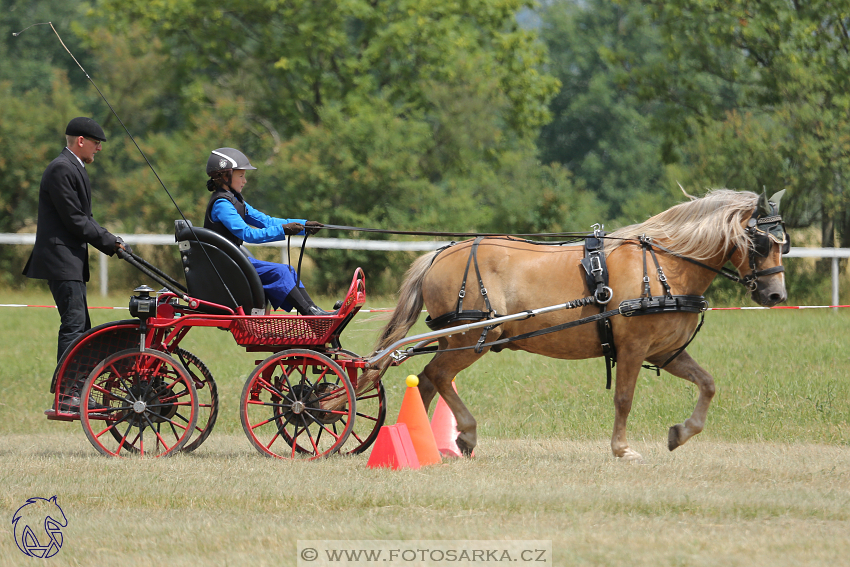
(297, 403)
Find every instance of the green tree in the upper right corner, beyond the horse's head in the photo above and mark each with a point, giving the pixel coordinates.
(787, 64)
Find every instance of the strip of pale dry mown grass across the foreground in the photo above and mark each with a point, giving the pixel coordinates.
(706, 504)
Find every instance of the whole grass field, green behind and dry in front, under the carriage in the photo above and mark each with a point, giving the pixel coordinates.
(767, 482)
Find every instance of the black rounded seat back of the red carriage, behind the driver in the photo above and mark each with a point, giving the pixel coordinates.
(209, 260)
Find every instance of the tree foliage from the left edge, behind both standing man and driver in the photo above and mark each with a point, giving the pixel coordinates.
(395, 114)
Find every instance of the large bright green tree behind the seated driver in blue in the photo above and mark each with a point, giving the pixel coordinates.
(395, 114)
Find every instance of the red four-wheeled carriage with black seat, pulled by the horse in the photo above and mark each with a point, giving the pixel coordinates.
(144, 394)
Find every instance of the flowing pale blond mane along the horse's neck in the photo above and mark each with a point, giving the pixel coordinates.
(699, 228)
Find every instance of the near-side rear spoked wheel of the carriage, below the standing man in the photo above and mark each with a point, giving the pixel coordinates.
(139, 402)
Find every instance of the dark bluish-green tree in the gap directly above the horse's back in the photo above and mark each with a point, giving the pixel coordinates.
(601, 130)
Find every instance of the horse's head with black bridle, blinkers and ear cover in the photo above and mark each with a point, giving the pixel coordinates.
(760, 266)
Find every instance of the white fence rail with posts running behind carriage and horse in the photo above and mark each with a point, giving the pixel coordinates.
(382, 245)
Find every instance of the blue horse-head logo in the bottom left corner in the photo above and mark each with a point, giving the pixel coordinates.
(38, 527)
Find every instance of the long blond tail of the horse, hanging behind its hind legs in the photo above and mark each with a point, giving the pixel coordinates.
(404, 316)
